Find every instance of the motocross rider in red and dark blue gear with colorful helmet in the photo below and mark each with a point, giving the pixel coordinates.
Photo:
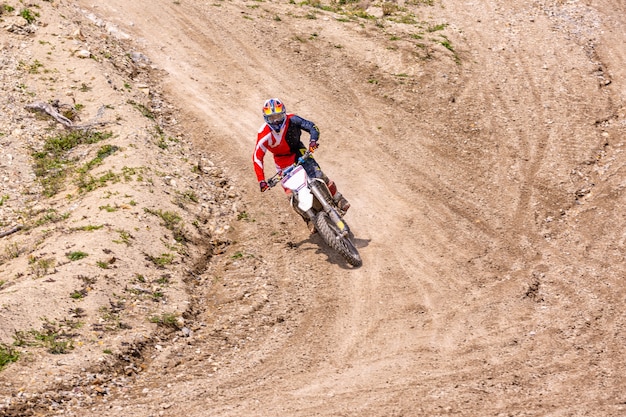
(280, 134)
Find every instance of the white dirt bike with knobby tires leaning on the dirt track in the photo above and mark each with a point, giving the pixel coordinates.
(311, 198)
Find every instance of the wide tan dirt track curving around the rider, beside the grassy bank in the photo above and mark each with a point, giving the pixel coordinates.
(486, 188)
